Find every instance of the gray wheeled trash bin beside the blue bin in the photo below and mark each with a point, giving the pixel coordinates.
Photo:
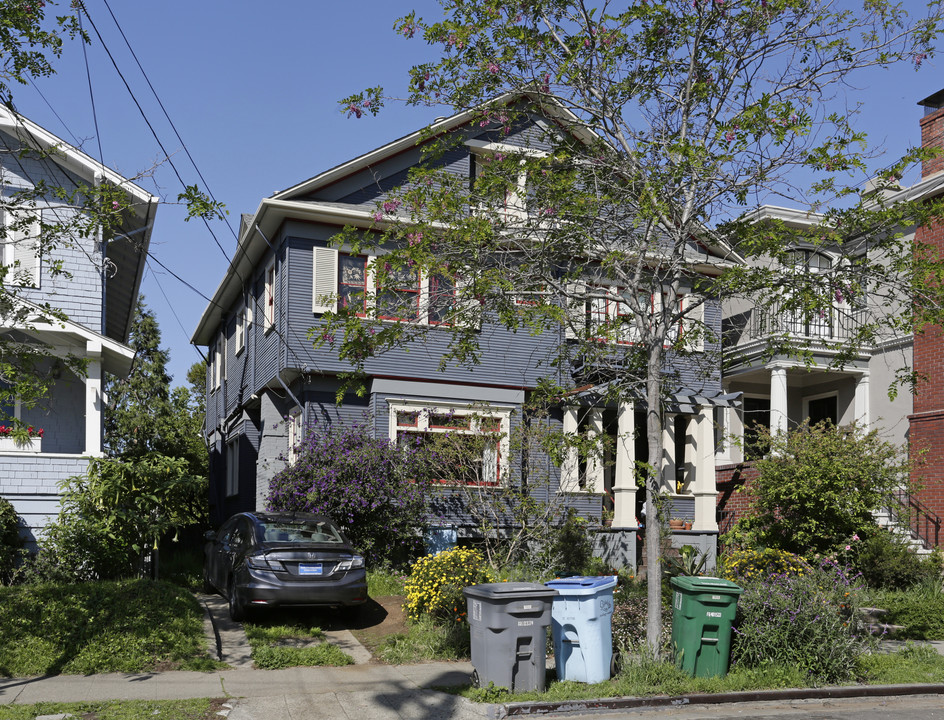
(508, 623)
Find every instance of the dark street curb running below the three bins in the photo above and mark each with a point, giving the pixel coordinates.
(499, 712)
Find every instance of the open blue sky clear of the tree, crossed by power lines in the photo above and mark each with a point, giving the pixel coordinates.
(252, 89)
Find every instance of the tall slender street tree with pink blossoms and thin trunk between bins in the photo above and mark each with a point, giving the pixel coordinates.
(666, 119)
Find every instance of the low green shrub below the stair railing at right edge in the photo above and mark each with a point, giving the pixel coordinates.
(885, 561)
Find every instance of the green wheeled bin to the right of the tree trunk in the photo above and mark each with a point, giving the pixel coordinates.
(703, 610)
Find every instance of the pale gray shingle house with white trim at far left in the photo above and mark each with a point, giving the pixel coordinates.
(97, 292)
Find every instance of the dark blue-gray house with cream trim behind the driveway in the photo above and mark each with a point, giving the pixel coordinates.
(267, 385)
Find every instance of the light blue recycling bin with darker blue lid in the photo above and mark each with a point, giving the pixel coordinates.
(581, 623)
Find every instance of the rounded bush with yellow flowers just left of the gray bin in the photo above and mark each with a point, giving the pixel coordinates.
(436, 581)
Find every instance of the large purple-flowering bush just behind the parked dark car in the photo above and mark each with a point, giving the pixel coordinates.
(367, 485)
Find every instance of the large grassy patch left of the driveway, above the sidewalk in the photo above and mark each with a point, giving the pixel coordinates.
(97, 627)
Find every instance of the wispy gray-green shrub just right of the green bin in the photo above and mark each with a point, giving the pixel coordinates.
(808, 620)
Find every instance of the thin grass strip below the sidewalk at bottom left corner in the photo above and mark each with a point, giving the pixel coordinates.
(200, 709)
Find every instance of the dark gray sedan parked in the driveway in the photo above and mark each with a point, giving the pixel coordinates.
(276, 559)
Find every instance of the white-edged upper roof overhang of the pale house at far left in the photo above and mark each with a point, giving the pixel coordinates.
(128, 249)
